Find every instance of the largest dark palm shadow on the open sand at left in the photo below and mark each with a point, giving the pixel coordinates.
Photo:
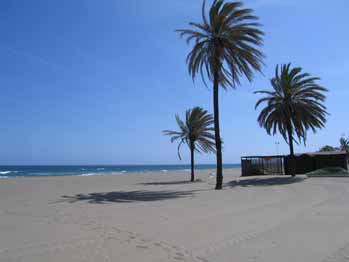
(125, 196)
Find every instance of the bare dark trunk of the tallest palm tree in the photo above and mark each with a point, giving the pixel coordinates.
(219, 177)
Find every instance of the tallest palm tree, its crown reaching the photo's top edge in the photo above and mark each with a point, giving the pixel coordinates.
(225, 49)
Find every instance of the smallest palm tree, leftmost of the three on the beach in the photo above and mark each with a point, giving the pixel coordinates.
(195, 132)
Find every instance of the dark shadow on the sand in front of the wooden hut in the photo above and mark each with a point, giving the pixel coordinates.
(269, 181)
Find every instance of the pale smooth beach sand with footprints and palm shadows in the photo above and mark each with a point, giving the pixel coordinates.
(157, 217)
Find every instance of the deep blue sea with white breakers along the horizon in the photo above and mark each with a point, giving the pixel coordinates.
(95, 170)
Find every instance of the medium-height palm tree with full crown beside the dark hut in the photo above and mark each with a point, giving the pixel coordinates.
(294, 106)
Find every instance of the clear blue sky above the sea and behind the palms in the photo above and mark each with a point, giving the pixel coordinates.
(95, 82)
